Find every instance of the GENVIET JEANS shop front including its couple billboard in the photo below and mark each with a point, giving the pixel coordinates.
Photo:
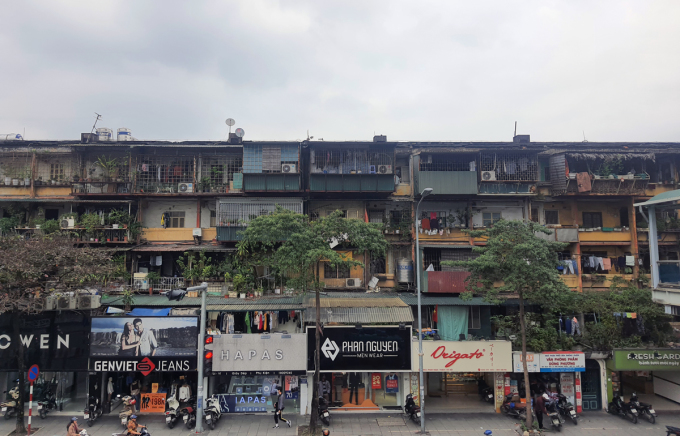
(148, 358)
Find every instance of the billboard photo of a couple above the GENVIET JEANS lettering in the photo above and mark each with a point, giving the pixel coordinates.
(144, 336)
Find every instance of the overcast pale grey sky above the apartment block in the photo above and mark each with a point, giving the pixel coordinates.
(412, 70)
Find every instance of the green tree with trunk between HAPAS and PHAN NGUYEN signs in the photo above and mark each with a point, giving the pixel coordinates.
(296, 247)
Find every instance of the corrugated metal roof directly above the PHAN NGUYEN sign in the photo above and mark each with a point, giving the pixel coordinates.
(363, 315)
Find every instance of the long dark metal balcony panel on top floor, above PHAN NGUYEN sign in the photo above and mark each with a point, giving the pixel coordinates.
(351, 183)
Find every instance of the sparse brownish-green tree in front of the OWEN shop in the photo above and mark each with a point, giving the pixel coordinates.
(30, 270)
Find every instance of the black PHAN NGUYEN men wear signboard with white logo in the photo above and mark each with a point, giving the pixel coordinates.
(386, 349)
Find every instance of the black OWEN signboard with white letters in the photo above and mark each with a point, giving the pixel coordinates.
(56, 341)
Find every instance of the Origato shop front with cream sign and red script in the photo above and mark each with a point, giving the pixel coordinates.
(457, 374)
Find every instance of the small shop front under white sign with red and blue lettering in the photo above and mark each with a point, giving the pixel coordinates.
(554, 371)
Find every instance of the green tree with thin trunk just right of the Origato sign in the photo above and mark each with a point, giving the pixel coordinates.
(516, 263)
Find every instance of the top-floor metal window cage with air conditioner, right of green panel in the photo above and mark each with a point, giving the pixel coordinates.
(511, 167)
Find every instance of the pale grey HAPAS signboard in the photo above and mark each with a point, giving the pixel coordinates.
(254, 354)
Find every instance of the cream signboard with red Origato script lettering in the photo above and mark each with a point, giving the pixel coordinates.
(464, 356)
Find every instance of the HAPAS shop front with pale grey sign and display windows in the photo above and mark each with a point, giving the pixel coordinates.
(249, 369)
